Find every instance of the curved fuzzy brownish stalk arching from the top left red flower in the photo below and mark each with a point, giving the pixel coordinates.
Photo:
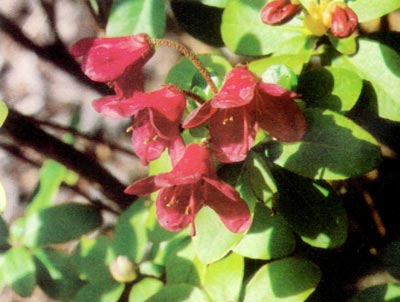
(191, 56)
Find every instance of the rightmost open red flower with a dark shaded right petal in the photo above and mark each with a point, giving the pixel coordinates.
(243, 104)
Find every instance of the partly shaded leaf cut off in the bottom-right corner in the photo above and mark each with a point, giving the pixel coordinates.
(379, 293)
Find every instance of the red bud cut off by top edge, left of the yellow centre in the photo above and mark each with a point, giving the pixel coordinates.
(279, 11)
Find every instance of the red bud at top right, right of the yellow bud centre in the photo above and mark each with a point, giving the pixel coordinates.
(344, 21)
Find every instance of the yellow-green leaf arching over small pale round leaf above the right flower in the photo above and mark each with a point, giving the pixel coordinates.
(293, 61)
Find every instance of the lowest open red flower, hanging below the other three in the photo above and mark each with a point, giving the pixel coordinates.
(192, 184)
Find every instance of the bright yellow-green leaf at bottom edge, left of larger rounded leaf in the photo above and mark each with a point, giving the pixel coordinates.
(223, 279)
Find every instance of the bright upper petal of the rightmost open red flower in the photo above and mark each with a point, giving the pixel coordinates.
(238, 89)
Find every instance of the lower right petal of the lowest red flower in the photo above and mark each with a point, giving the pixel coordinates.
(226, 202)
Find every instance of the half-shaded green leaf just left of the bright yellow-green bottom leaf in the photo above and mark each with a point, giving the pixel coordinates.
(183, 266)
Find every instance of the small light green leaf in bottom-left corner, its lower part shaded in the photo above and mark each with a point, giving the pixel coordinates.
(19, 271)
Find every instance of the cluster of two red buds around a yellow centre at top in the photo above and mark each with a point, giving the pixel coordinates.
(320, 16)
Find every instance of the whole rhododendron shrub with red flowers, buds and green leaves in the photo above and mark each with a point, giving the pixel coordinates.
(248, 161)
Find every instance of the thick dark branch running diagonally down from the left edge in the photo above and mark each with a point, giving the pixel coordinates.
(26, 133)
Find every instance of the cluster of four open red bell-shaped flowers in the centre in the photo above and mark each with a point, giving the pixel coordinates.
(235, 113)
